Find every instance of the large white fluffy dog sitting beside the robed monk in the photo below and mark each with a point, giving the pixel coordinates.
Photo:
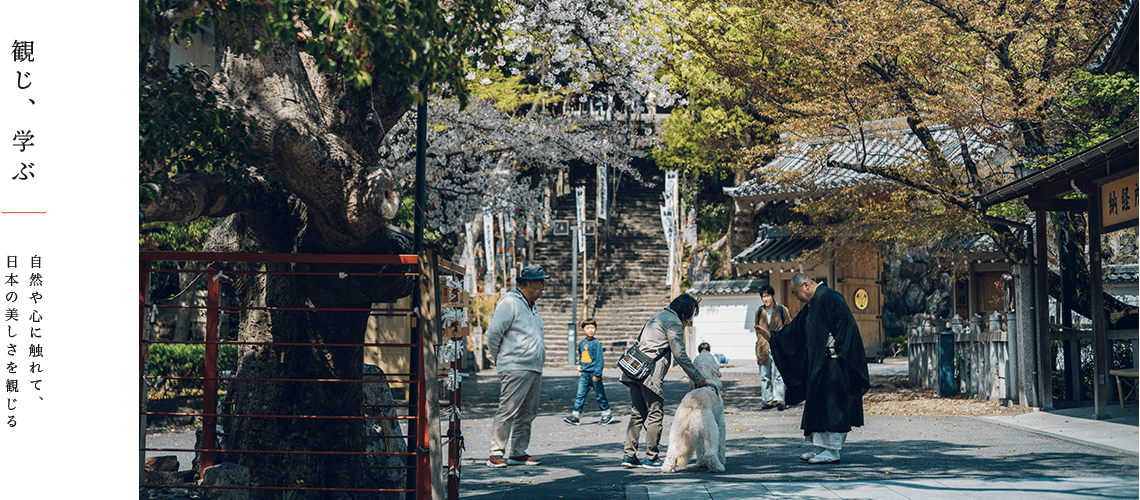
(698, 429)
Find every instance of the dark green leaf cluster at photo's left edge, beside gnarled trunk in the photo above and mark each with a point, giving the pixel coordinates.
(183, 132)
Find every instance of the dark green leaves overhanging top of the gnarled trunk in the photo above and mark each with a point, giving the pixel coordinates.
(400, 45)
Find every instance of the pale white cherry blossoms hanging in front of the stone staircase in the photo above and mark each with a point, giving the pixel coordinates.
(494, 155)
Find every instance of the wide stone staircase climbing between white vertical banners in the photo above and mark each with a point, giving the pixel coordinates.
(631, 284)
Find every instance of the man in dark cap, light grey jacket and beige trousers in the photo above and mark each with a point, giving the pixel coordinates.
(516, 343)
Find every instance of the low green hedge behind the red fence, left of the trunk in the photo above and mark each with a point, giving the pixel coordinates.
(186, 360)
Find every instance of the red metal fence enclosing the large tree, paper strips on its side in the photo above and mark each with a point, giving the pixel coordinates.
(418, 456)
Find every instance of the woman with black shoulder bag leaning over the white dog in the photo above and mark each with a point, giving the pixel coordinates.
(662, 337)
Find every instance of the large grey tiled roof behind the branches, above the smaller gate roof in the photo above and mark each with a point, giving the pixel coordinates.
(891, 144)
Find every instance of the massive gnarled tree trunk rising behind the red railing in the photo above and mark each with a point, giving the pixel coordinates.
(328, 196)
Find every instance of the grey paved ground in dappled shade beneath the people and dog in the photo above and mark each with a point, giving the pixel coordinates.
(1038, 455)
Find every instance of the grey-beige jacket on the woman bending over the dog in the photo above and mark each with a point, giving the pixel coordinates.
(664, 332)
